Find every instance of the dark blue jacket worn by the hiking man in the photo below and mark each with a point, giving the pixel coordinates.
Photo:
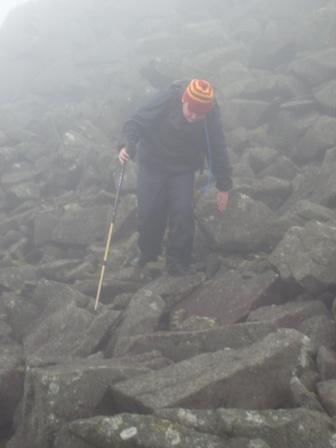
(166, 140)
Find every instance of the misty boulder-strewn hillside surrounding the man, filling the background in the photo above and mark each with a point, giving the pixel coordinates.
(246, 343)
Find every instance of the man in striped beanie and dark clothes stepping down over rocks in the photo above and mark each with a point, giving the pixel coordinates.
(171, 135)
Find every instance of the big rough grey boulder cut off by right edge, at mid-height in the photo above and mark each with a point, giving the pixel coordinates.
(307, 255)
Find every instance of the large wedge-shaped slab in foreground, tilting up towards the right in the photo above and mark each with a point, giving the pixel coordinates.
(256, 377)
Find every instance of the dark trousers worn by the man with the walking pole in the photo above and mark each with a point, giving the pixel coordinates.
(165, 198)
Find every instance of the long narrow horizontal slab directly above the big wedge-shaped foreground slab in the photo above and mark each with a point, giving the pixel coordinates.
(181, 345)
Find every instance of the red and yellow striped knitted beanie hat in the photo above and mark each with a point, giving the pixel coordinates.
(199, 95)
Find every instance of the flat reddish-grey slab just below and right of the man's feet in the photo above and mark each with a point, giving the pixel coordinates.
(233, 294)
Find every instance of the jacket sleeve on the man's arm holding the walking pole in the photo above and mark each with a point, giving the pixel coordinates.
(144, 119)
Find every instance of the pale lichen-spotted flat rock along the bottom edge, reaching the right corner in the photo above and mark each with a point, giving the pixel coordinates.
(280, 428)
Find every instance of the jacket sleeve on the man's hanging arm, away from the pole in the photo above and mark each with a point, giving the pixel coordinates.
(218, 155)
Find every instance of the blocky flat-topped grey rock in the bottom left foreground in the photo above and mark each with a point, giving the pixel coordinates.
(56, 395)
